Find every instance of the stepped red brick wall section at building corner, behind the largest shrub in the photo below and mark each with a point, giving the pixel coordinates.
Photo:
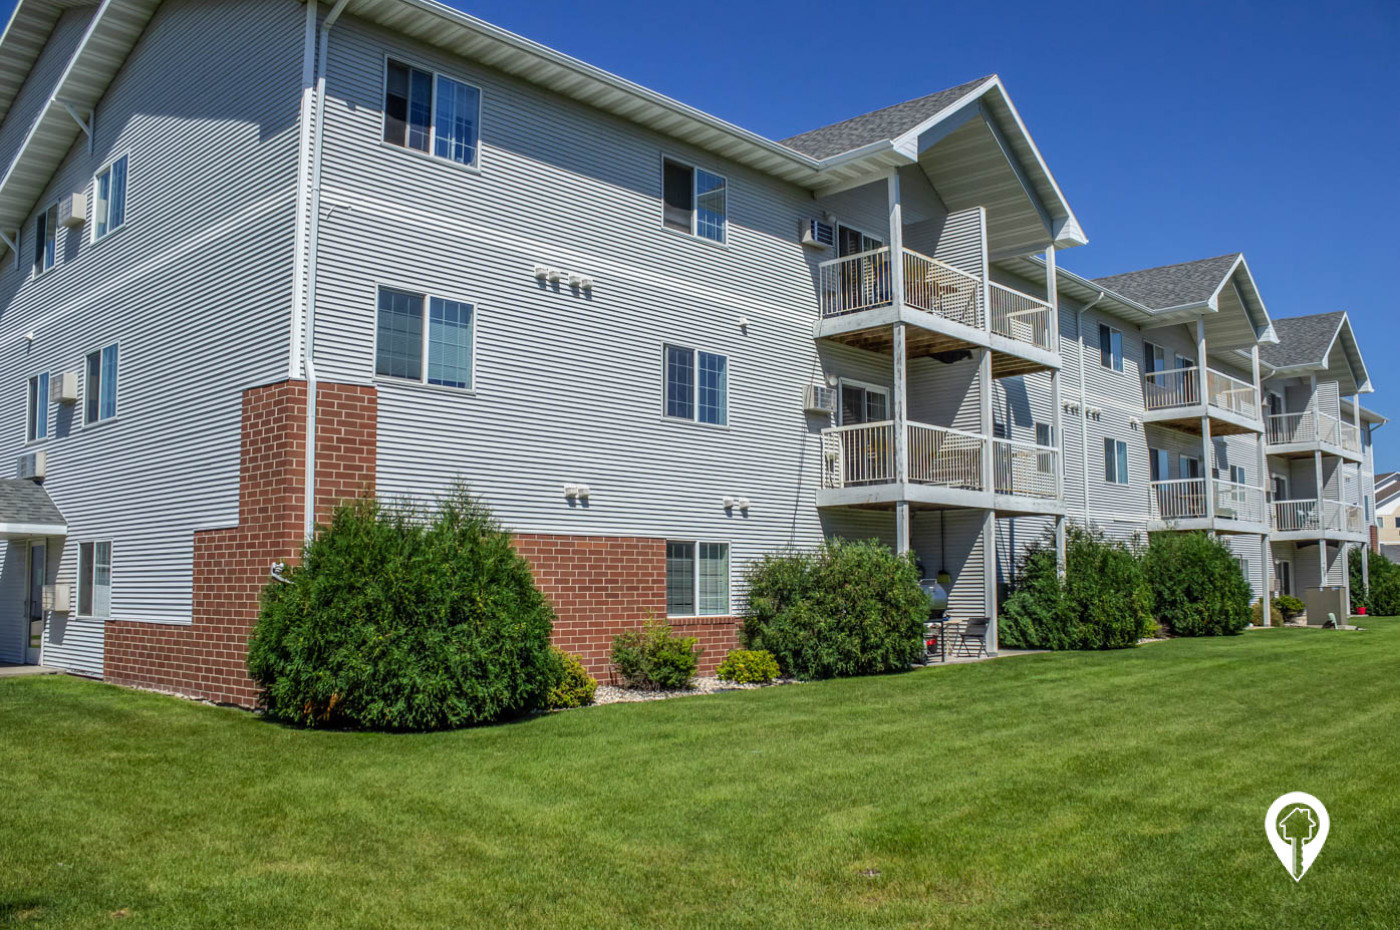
(206, 659)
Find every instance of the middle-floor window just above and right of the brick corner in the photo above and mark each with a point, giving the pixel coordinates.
(432, 351)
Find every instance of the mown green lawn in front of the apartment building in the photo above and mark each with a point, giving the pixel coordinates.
(1101, 791)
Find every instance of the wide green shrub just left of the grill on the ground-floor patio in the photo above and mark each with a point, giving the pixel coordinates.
(848, 609)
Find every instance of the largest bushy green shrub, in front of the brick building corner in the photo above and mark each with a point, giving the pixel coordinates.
(401, 620)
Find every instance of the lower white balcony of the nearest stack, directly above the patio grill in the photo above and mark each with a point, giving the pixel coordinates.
(947, 469)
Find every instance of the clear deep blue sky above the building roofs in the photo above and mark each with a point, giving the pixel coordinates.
(1178, 131)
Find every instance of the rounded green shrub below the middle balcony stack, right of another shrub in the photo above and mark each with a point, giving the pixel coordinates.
(1198, 588)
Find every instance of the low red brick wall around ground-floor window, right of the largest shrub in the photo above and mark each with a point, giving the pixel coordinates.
(603, 586)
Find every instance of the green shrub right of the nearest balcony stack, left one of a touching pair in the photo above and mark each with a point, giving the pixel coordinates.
(1104, 600)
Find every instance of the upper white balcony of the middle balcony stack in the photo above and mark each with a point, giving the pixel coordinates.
(1175, 398)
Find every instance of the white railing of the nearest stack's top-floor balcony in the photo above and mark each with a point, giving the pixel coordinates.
(856, 284)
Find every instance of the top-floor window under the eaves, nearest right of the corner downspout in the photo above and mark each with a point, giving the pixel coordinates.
(432, 114)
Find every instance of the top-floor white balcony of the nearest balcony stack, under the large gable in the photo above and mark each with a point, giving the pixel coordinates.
(948, 310)
